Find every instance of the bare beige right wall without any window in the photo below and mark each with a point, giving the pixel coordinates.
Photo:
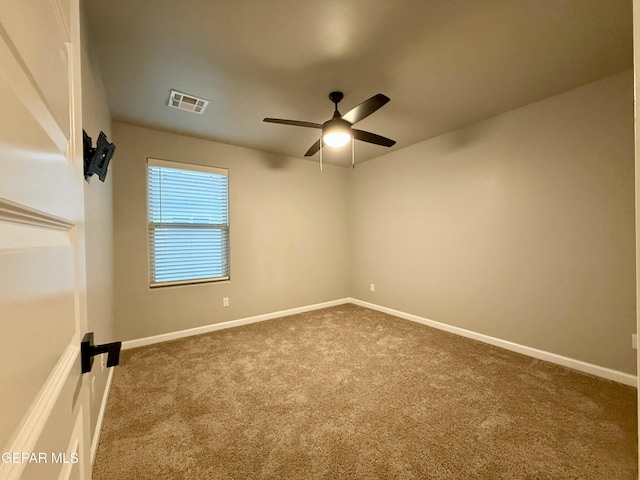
(520, 227)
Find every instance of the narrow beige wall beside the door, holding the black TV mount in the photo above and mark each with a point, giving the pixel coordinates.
(98, 203)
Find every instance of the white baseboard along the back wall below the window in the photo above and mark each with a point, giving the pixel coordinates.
(165, 337)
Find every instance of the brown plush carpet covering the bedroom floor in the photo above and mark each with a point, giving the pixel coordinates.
(348, 392)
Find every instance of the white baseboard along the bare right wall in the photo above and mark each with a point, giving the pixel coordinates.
(579, 365)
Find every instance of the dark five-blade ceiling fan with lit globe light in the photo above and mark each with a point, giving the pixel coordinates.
(337, 131)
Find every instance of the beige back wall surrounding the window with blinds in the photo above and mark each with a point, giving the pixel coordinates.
(288, 234)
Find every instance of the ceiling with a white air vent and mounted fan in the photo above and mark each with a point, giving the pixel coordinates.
(444, 63)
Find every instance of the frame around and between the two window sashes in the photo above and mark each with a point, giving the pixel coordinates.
(151, 226)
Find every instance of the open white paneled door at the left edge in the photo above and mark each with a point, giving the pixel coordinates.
(43, 396)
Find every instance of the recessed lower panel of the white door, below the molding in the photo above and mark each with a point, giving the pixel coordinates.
(38, 300)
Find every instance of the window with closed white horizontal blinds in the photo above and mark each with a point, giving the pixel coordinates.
(188, 219)
